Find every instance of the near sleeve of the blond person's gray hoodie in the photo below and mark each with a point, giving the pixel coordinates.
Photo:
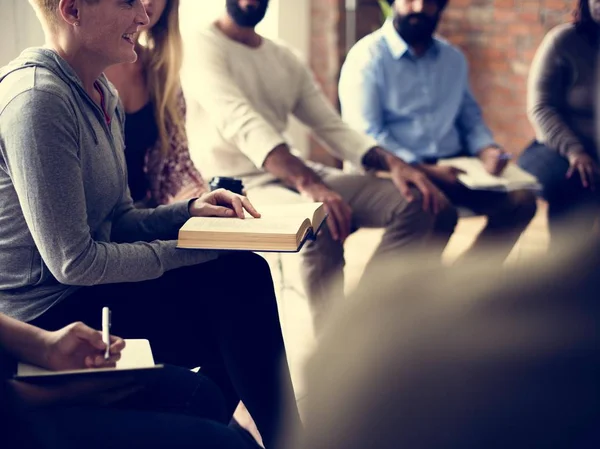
(42, 157)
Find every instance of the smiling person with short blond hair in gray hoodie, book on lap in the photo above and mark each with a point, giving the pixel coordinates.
(71, 240)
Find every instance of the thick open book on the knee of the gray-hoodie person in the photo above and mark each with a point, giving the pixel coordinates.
(281, 228)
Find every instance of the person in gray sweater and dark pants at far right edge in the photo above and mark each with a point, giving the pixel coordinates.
(561, 94)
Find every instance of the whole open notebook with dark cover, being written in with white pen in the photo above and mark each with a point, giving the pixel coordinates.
(136, 356)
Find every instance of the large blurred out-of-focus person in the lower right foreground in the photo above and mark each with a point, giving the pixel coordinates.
(462, 358)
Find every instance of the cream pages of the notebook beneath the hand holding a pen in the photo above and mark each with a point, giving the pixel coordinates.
(136, 354)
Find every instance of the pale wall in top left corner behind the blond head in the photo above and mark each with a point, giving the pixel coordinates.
(19, 29)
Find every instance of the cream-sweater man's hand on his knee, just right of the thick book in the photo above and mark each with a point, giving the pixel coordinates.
(339, 218)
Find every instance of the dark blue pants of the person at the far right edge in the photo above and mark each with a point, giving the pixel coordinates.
(566, 198)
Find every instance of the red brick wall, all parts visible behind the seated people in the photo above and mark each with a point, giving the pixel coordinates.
(499, 38)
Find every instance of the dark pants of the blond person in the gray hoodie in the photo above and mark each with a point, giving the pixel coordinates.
(221, 315)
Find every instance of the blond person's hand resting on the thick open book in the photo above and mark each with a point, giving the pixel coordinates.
(222, 203)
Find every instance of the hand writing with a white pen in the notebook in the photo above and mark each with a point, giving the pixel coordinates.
(77, 346)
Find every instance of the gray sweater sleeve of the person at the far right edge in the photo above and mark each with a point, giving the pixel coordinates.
(546, 98)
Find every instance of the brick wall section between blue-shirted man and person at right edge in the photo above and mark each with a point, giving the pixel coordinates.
(500, 38)
